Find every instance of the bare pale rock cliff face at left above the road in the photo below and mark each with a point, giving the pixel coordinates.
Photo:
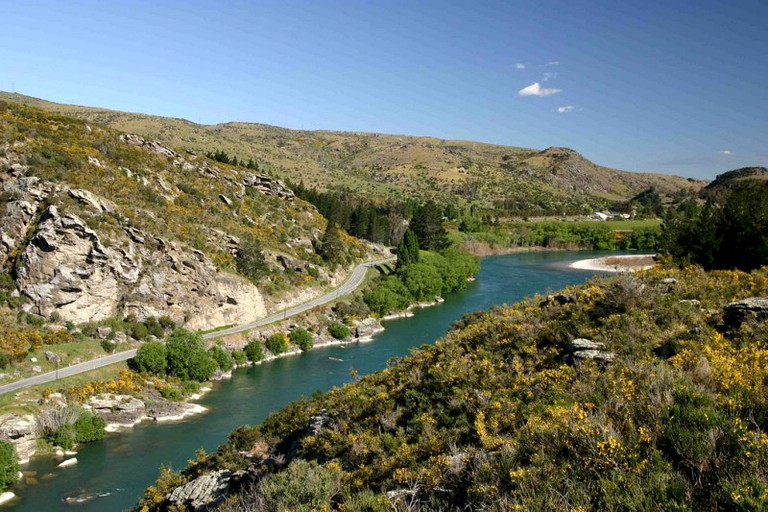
(64, 266)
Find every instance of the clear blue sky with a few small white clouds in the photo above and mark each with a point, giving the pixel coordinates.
(665, 86)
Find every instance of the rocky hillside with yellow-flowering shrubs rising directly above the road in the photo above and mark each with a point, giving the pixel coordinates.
(98, 224)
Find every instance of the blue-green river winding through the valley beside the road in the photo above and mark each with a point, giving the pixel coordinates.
(112, 474)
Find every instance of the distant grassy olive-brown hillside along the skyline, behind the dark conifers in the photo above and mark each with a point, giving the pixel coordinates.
(553, 180)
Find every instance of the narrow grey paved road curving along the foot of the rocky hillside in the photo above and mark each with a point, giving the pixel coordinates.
(353, 281)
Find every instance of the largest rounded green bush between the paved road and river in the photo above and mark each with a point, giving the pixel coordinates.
(187, 357)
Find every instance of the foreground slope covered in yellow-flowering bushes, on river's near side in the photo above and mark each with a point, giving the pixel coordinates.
(659, 406)
